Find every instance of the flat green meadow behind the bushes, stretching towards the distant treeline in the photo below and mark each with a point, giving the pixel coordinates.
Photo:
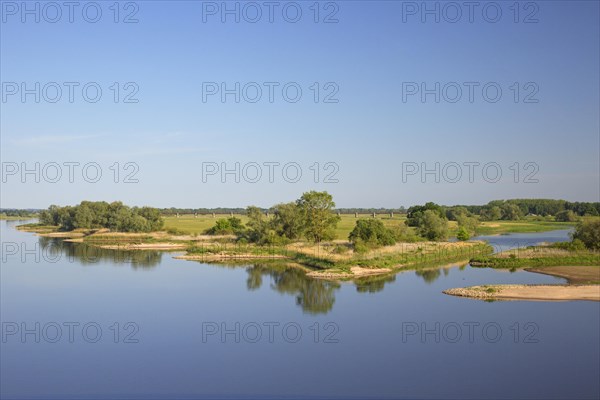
(189, 224)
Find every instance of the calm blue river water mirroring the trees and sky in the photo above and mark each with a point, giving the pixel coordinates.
(356, 340)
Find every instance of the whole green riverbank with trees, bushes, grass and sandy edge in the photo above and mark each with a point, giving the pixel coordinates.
(305, 231)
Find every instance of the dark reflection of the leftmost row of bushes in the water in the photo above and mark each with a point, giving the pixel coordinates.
(54, 249)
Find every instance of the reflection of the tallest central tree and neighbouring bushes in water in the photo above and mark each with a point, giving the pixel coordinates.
(313, 295)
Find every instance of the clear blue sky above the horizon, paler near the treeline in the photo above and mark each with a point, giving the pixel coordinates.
(369, 122)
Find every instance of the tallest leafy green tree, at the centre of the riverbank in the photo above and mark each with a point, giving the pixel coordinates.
(316, 210)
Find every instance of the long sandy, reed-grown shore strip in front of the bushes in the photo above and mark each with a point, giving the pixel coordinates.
(321, 262)
